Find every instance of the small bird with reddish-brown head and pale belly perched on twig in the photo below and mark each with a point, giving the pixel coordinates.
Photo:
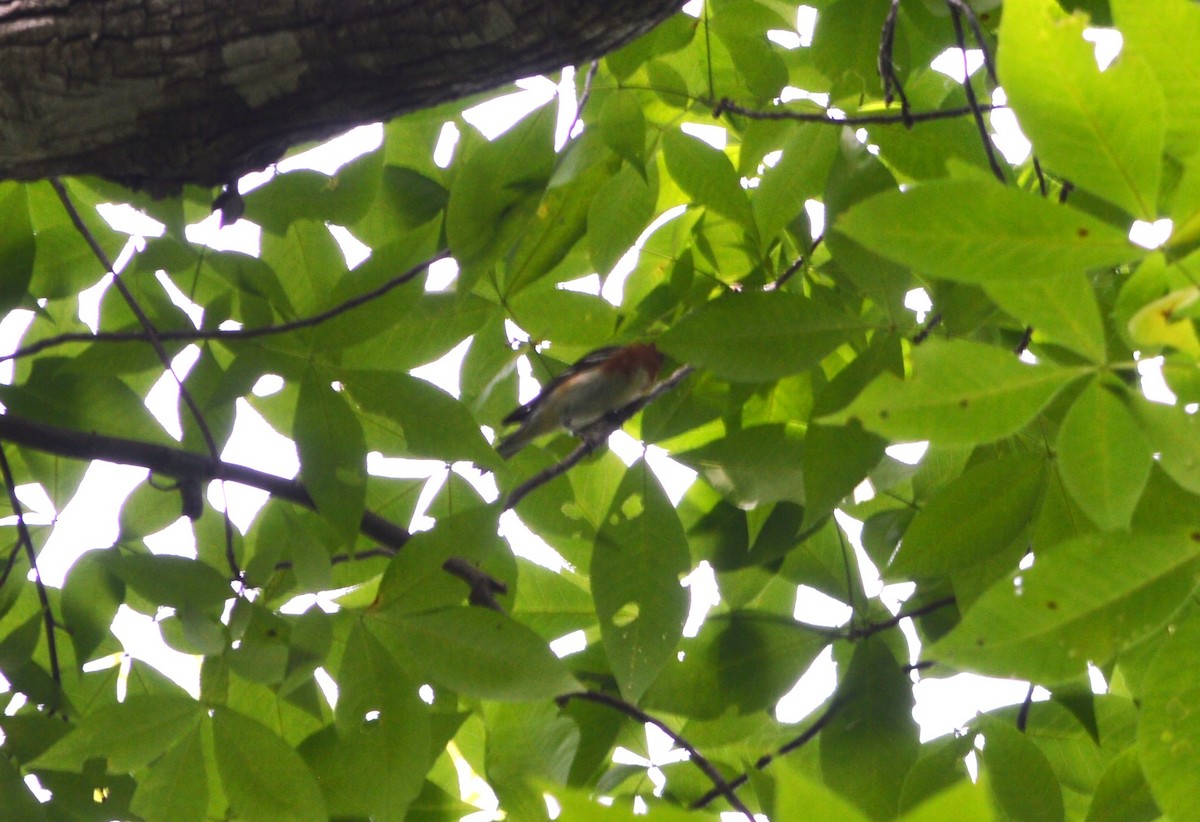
(601, 383)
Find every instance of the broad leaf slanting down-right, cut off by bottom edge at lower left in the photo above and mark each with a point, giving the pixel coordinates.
(262, 776)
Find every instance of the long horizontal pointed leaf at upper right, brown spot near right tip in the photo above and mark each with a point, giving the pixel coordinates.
(979, 232)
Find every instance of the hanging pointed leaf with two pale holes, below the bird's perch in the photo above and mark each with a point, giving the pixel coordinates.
(641, 554)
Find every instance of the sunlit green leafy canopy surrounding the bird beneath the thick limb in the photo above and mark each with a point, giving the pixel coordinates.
(1051, 533)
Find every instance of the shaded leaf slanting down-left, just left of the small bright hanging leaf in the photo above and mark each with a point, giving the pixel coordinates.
(975, 518)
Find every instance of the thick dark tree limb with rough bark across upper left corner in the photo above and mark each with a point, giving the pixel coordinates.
(155, 94)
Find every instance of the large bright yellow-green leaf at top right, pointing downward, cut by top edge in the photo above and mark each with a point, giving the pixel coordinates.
(1101, 130)
